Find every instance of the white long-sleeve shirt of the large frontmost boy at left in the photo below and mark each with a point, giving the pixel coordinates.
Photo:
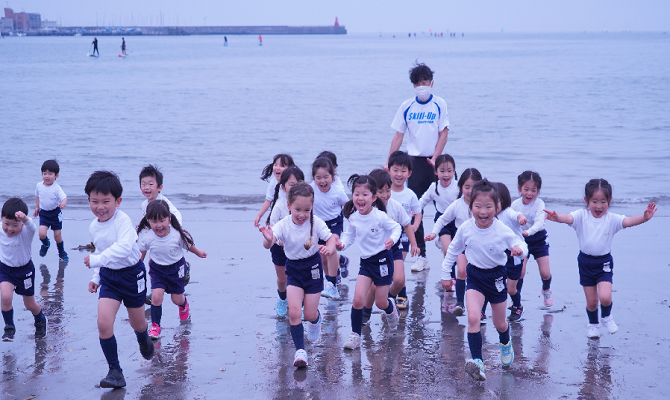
(115, 243)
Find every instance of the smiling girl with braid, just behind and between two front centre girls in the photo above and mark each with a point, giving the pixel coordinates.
(328, 202)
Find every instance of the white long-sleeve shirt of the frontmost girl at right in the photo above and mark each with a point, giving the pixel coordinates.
(484, 248)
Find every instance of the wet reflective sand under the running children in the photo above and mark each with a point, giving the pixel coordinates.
(235, 347)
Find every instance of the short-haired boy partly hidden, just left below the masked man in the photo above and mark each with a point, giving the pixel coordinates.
(400, 169)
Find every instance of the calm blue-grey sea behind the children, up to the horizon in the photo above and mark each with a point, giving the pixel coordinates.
(572, 107)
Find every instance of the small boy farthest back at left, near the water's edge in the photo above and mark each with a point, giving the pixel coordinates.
(49, 201)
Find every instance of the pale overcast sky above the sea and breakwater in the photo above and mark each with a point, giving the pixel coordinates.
(368, 15)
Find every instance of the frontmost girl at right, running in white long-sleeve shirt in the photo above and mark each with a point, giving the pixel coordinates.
(484, 239)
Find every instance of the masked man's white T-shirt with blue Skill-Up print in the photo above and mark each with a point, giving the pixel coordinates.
(424, 123)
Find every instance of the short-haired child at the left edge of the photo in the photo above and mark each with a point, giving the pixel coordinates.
(17, 272)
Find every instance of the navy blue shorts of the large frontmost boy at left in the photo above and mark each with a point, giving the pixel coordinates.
(127, 285)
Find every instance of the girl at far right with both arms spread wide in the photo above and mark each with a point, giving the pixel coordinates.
(595, 227)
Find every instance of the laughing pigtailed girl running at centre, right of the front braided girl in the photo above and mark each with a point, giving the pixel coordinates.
(376, 233)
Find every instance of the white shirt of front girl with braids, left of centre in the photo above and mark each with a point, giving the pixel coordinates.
(294, 237)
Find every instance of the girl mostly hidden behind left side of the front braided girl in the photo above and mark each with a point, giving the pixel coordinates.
(279, 211)
